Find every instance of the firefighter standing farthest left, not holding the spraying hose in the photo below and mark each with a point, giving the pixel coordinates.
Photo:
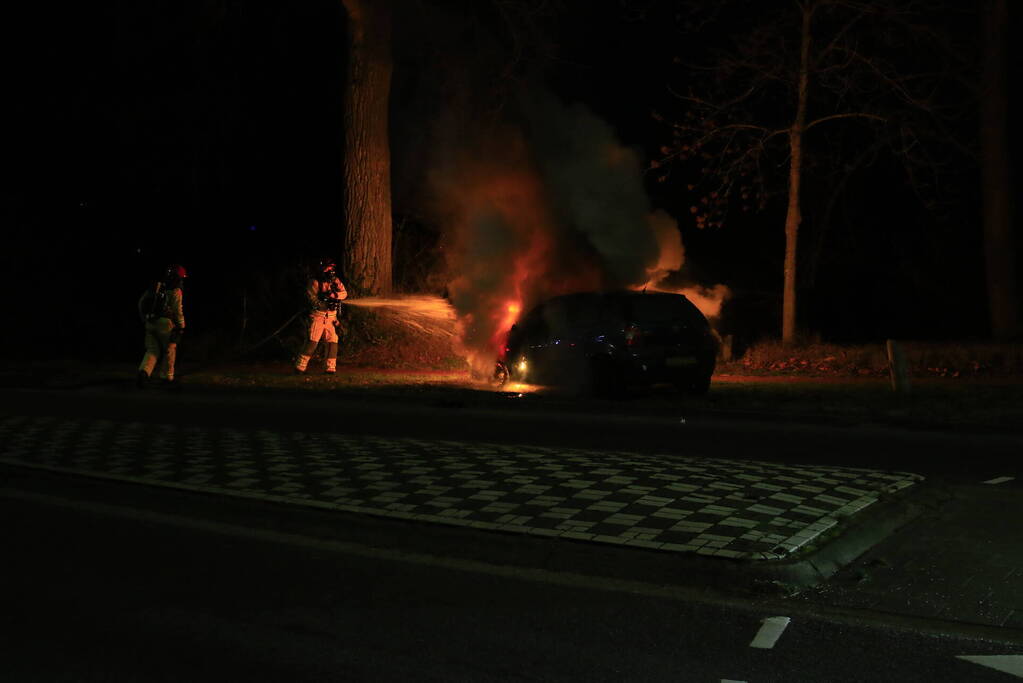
(163, 315)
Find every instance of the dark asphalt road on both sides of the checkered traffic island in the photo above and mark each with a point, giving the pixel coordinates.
(115, 582)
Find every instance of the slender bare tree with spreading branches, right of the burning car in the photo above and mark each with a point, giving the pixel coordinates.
(743, 117)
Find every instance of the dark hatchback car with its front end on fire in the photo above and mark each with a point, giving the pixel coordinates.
(604, 343)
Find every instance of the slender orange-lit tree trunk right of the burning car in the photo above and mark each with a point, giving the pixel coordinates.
(794, 216)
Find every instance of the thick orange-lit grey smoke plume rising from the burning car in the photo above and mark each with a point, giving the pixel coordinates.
(551, 206)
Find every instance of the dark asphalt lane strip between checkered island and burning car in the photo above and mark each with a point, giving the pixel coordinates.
(657, 427)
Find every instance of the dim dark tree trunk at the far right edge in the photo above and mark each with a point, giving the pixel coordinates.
(1000, 248)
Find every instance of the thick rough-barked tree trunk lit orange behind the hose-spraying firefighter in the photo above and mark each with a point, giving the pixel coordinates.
(367, 259)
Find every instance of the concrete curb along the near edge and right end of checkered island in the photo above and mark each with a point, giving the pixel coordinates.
(758, 579)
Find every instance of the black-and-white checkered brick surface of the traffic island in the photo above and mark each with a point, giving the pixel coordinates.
(728, 509)
